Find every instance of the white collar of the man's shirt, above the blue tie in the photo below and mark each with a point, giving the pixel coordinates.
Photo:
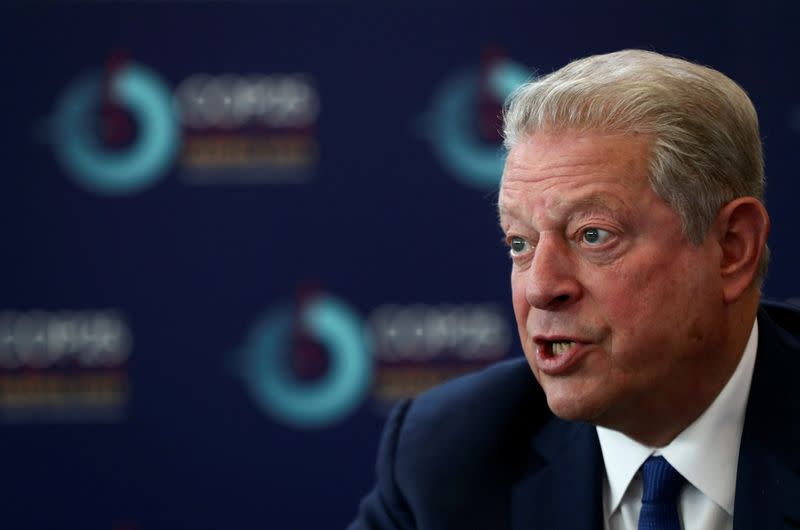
(702, 452)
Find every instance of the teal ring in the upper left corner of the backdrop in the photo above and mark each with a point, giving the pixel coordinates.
(139, 164)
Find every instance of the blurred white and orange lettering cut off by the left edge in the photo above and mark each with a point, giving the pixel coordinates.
(63, 366)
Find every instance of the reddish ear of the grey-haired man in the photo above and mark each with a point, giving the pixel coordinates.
(743, 225)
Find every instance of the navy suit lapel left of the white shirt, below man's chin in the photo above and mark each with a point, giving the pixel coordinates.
(562, 489)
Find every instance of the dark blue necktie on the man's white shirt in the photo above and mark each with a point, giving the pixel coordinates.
(662, 485)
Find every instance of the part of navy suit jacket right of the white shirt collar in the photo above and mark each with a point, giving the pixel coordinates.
(768, 478)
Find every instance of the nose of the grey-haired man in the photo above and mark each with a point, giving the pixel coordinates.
(551, 281)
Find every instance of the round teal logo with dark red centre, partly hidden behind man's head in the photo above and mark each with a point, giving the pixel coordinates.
(463, 124)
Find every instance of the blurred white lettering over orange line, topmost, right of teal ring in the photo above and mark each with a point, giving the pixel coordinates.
(248, 128)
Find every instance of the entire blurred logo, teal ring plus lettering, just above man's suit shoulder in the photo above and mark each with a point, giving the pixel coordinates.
(311, 363)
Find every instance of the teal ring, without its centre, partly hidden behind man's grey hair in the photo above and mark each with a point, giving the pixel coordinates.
(450, 126)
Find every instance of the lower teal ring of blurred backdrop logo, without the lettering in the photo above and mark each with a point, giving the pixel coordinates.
(266, 363)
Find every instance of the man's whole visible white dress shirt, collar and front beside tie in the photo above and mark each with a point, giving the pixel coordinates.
(706, 453)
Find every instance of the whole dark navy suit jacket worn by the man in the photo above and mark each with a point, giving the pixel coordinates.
(483, 452)
